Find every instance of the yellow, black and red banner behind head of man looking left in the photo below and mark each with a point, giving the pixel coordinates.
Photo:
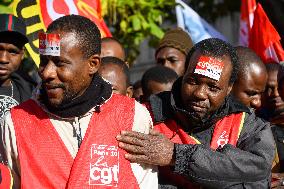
(38, 14)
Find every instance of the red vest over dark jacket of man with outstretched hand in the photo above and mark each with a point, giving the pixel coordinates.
(226, 131)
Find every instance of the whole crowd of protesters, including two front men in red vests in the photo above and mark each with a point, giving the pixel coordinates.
(207, 115)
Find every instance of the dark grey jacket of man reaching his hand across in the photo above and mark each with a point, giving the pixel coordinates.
(248, 165)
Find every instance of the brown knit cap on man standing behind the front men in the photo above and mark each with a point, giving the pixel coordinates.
(176, 38)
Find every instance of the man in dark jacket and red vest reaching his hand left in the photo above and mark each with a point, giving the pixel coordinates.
(209, 139)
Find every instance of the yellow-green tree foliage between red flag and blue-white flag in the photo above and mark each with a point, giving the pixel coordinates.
(133, 21)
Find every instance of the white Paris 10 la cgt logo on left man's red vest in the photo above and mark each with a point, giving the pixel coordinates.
(104, 166)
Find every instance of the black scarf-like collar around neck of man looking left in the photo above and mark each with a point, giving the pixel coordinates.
(96, 94)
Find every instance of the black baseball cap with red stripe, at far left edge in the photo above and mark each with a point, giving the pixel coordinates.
(12, 30)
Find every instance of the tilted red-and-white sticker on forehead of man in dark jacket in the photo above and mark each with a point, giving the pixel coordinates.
(209, 67)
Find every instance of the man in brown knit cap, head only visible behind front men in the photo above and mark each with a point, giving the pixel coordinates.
(172, 50)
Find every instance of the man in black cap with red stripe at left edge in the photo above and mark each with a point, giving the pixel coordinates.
(13, 88)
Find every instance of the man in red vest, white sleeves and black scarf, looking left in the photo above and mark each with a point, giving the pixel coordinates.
(64, 137)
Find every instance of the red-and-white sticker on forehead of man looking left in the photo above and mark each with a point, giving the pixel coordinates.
(49, 44)
